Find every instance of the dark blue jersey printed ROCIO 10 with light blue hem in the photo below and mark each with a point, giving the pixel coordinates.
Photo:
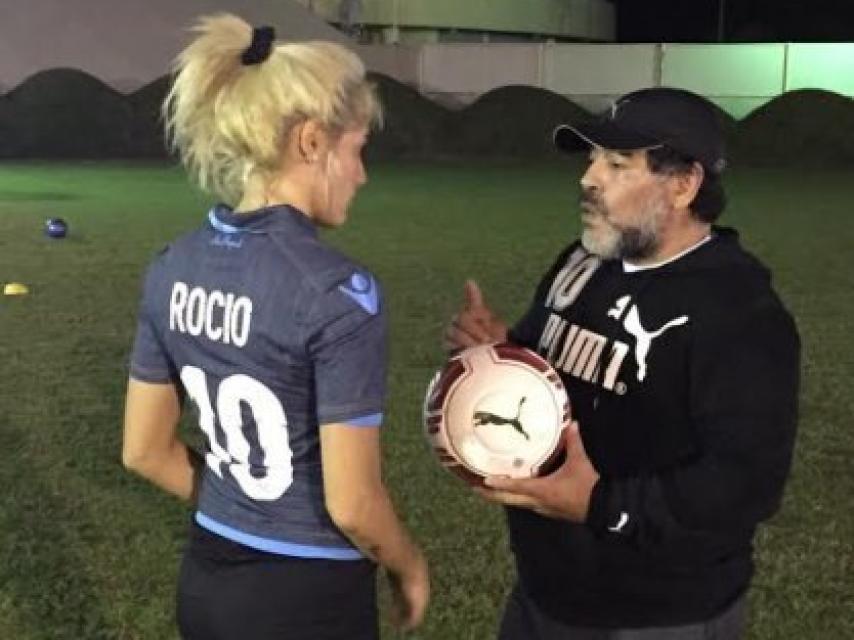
(270, 333)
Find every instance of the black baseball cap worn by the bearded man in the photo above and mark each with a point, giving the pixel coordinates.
(655, 117)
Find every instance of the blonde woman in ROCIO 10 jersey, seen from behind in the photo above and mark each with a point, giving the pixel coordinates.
(279, 342)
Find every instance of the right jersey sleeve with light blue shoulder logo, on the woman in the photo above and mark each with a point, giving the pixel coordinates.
(346, 341)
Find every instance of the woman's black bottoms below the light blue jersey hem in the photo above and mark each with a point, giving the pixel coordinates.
(228, 592)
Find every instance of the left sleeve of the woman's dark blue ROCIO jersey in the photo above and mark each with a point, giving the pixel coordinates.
(149, 361)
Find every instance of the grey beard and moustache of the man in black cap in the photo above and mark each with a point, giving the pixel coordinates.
(635, 241)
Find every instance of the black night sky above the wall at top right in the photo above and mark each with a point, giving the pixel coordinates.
(746, 20)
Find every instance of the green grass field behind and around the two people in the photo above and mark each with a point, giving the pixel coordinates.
(88, 551)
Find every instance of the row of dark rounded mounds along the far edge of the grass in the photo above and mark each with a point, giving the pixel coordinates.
(65, 113)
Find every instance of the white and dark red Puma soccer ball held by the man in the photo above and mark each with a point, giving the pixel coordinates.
(496, 410)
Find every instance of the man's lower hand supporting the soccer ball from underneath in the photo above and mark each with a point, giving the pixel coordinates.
(563, 494)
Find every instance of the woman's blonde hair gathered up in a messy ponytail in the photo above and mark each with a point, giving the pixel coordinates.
(229, 120)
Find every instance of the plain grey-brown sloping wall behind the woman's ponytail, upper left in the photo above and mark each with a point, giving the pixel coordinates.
(125, 43)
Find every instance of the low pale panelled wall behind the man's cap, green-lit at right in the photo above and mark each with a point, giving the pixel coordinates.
(738, 77)
